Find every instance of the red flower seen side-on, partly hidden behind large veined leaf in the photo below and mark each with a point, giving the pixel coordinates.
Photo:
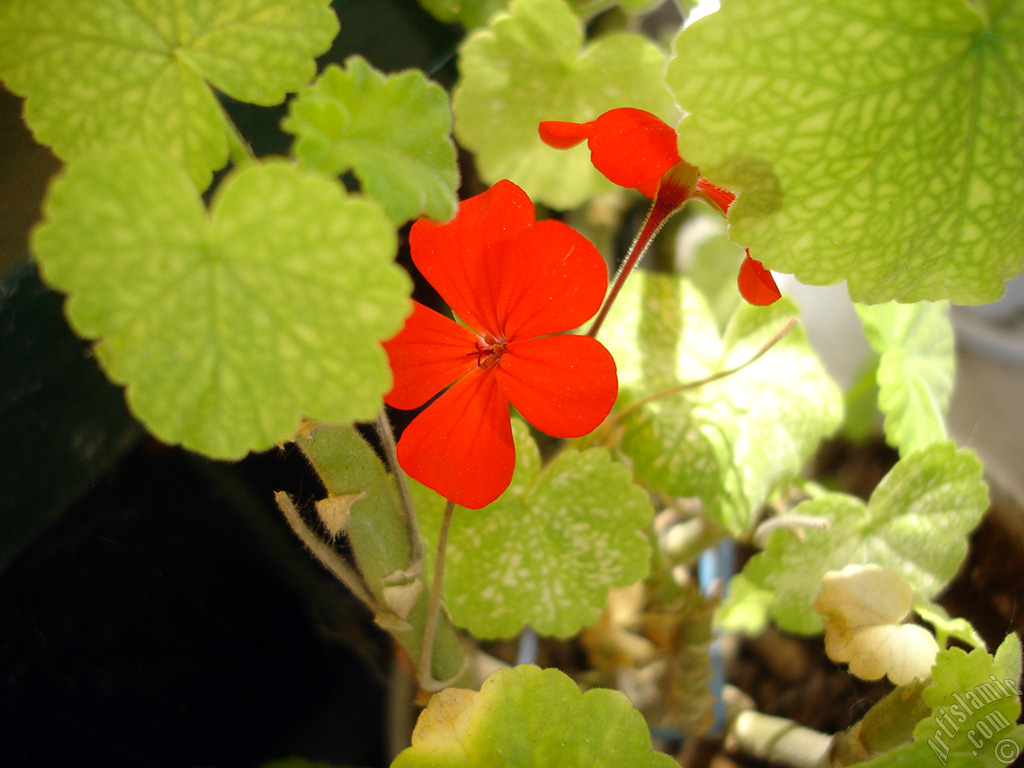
(635, 149)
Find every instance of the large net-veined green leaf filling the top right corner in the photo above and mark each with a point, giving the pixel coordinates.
(878, 144)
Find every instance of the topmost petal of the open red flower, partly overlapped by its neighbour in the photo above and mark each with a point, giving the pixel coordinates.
(460, 259)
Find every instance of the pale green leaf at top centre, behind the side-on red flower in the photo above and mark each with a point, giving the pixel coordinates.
(530, 66)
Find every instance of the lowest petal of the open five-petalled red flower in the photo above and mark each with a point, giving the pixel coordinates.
(461, 446)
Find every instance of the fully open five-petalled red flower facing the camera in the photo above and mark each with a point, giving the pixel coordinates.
(518, 285)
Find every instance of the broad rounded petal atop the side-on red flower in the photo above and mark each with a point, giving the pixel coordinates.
(633, 148)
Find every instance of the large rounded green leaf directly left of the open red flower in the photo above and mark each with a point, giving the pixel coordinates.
(226, 328)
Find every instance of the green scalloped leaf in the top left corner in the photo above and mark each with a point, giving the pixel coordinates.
(103, 72)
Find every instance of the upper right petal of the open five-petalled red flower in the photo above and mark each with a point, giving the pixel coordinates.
(553, 280)
